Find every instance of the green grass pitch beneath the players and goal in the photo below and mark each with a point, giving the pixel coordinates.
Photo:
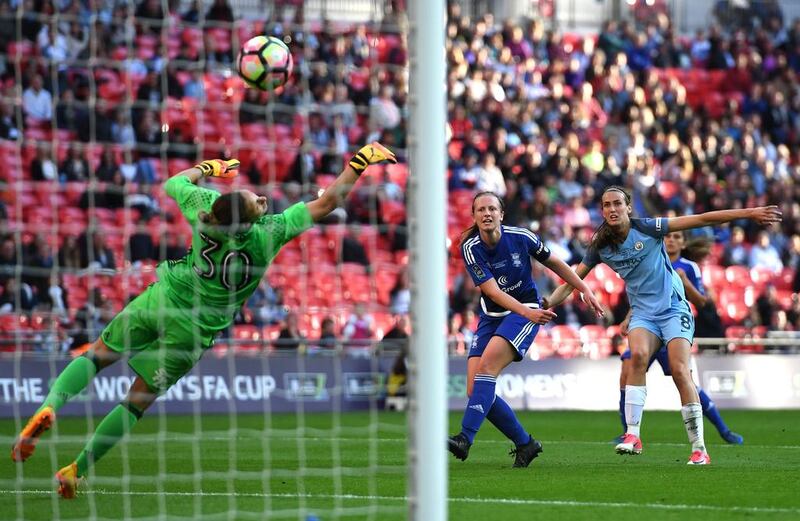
(354, 467)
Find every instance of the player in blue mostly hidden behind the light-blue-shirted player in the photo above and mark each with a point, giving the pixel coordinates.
(689, 272)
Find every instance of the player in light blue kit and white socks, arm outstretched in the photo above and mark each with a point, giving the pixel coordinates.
(660, 313)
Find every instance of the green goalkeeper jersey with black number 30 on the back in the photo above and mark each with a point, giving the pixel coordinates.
(223, 268)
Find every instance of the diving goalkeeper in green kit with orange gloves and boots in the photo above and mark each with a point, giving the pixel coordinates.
(165, 330)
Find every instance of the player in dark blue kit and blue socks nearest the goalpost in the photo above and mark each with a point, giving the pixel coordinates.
(498, 258)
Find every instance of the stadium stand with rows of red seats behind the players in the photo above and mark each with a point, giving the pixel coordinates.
(687, 124)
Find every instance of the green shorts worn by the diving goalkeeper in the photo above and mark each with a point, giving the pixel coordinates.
(159, 335)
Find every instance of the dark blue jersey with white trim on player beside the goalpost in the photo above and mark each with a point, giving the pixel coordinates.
(509, 262)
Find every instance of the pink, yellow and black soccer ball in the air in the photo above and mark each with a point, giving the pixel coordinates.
(265, 63)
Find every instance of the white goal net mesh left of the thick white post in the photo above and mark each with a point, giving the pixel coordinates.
(284, 414)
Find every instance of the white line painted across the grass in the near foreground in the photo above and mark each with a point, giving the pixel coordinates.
(470, 500)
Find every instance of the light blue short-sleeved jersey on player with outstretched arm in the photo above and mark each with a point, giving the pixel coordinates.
(644, 265)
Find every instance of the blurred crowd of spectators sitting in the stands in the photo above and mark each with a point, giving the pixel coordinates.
(544, 119)
